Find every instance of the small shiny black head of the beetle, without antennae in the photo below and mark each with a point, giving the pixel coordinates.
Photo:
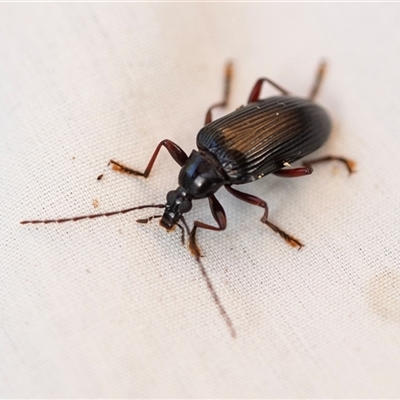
(178, 203)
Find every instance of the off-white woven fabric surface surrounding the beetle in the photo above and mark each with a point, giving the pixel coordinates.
(110, 308)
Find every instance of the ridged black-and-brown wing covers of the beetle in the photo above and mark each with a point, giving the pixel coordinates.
(261, 137)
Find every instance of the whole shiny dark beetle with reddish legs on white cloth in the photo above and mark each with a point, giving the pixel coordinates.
(265, 136)
